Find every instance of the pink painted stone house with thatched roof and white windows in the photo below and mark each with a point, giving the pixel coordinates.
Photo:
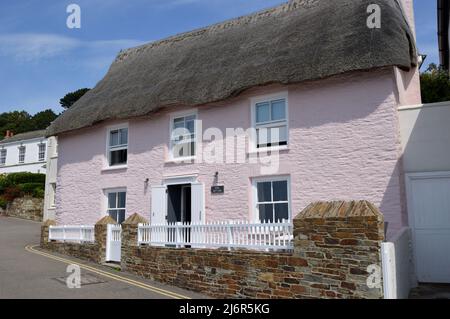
(311, 81)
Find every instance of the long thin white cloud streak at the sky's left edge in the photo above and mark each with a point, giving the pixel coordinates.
(30, 47)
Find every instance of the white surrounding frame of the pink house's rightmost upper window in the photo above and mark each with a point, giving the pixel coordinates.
(267, 98)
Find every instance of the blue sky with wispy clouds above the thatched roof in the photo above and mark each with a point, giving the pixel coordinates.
(41, 59)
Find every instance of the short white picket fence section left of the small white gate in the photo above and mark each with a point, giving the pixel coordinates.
(76, 234)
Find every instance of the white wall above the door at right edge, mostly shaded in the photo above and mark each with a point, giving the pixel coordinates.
(425, 133)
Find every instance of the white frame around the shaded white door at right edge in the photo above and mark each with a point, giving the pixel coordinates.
(409, 179)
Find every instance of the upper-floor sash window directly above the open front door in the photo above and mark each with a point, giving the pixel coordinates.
(183, 136)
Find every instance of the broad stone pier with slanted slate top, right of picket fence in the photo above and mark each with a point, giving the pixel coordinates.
(340, 233)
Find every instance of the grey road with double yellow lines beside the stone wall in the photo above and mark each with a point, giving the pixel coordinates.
(26, 272)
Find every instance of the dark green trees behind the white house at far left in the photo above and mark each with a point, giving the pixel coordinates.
(21, 121)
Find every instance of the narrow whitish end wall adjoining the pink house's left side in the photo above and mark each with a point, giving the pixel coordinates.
(50, 181)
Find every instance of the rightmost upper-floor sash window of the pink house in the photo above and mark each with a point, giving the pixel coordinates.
(270, 122)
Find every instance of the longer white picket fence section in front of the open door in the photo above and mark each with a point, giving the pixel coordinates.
(230, 234)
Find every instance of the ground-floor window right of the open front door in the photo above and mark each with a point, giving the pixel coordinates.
(272, 199)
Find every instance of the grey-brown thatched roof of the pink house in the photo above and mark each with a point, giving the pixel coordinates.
(298, 41)
